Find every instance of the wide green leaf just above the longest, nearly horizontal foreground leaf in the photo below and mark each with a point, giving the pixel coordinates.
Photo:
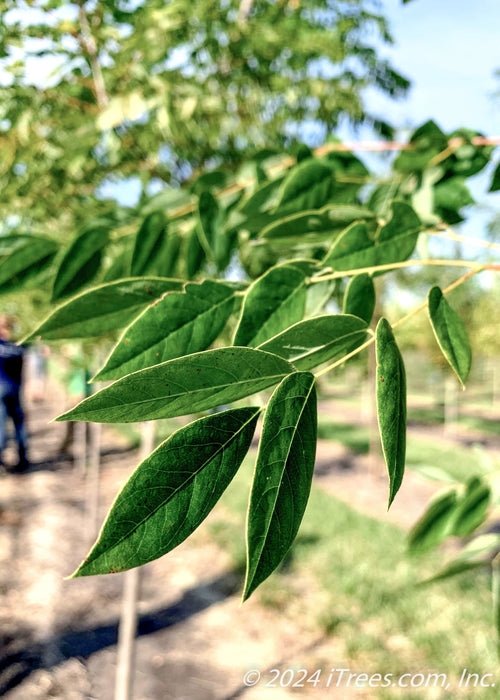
(180, 323)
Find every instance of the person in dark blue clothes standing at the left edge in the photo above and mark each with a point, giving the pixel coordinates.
(11, 366)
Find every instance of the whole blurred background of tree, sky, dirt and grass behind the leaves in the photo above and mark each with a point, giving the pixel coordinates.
(109, 110)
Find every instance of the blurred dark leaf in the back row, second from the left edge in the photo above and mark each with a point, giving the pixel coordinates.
(81, 262)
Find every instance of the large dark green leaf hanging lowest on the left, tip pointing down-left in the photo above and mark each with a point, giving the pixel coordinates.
(172, 492)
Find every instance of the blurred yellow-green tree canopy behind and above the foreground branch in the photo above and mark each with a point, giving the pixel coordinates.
(98, 92)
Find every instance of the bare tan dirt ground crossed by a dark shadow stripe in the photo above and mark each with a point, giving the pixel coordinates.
(58, 637)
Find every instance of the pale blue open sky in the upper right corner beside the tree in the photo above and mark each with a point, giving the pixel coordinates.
(449, 49)
